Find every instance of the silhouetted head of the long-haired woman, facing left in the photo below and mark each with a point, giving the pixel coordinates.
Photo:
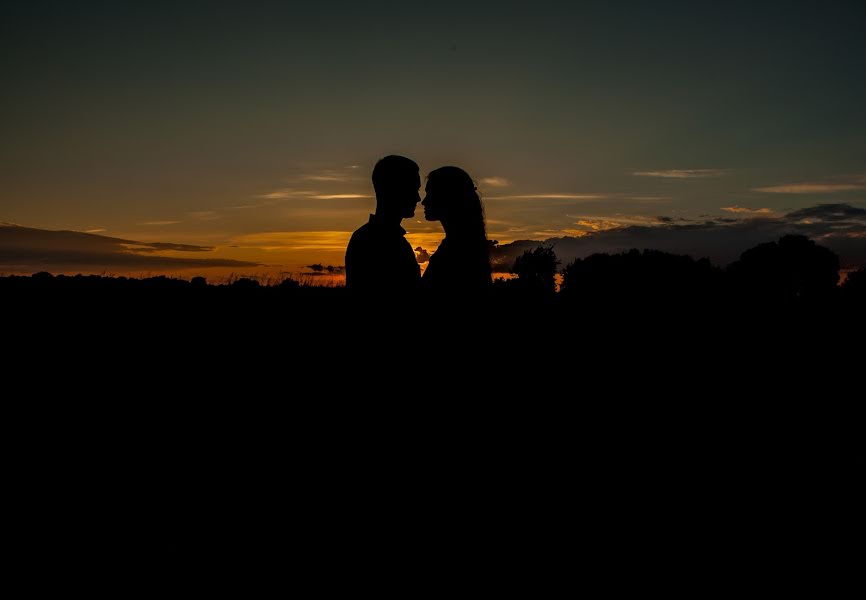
(451, 198)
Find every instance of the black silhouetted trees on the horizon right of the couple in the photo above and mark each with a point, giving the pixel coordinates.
(793, 272)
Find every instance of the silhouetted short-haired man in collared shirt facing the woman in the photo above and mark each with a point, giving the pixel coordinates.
(379, 259)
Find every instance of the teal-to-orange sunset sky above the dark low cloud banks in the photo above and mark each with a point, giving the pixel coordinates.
(253, 126)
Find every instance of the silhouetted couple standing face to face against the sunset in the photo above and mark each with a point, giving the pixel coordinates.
(380, 261)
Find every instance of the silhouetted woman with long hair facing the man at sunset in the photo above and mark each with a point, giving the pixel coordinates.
(461, 264)
